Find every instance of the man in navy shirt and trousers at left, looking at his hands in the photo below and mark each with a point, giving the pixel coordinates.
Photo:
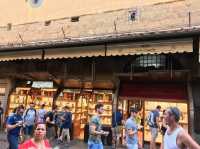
(14, 124)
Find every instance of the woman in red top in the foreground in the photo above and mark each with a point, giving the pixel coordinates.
(38, 141)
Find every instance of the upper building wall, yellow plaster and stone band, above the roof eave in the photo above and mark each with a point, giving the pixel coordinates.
(99, 18)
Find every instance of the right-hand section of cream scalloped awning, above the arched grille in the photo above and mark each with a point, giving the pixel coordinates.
(151, 47)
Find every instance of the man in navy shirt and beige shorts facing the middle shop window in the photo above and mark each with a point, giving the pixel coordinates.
(66, 124)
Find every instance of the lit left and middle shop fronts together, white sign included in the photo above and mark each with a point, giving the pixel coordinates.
(81, 102)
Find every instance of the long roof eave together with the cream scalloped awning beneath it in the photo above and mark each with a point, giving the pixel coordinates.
(107, 45)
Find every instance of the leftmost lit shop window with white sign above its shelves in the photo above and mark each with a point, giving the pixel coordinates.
(40, 92)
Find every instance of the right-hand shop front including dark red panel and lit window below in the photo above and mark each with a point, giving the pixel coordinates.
(145, 96)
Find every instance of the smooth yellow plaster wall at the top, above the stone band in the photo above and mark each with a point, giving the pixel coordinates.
(20, 11)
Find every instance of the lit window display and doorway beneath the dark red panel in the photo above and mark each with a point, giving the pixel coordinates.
(145, 106)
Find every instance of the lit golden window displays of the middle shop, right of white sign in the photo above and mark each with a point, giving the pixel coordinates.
(82, 105)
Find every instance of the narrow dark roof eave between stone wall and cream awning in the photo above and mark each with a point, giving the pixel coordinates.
(108, 38)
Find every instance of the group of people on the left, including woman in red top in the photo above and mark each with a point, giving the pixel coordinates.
(31, 128)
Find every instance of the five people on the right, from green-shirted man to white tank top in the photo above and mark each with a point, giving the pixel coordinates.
(174, 136)
